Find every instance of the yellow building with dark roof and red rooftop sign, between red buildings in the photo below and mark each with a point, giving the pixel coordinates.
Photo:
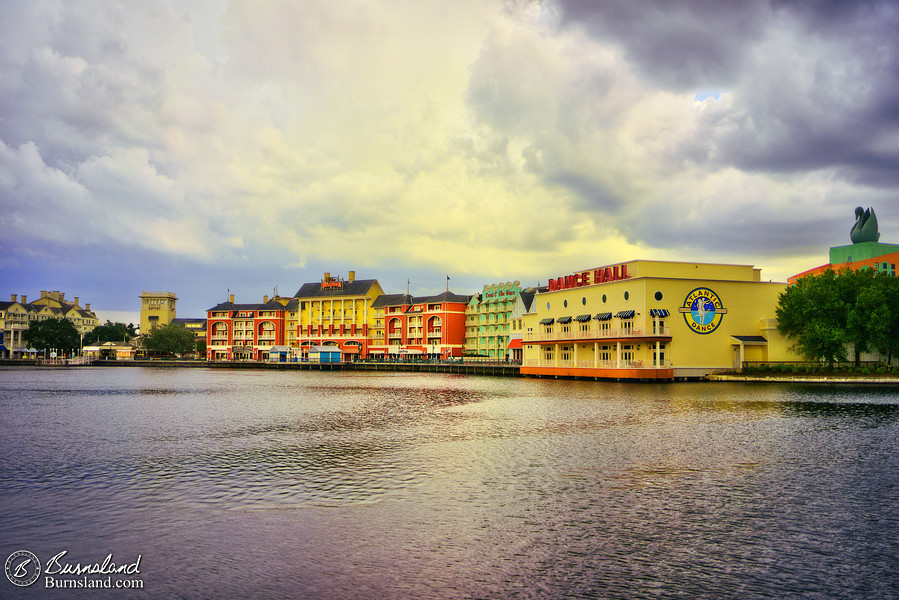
(336, 312)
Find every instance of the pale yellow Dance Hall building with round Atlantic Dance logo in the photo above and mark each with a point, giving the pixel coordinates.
(653, 320)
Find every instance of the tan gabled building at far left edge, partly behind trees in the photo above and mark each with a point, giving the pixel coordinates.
(16, 314)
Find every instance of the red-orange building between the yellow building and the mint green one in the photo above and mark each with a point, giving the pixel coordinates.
(424, 327)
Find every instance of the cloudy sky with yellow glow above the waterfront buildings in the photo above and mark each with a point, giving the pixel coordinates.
(198, 146)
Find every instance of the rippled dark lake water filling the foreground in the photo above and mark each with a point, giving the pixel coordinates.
(289, 484)
